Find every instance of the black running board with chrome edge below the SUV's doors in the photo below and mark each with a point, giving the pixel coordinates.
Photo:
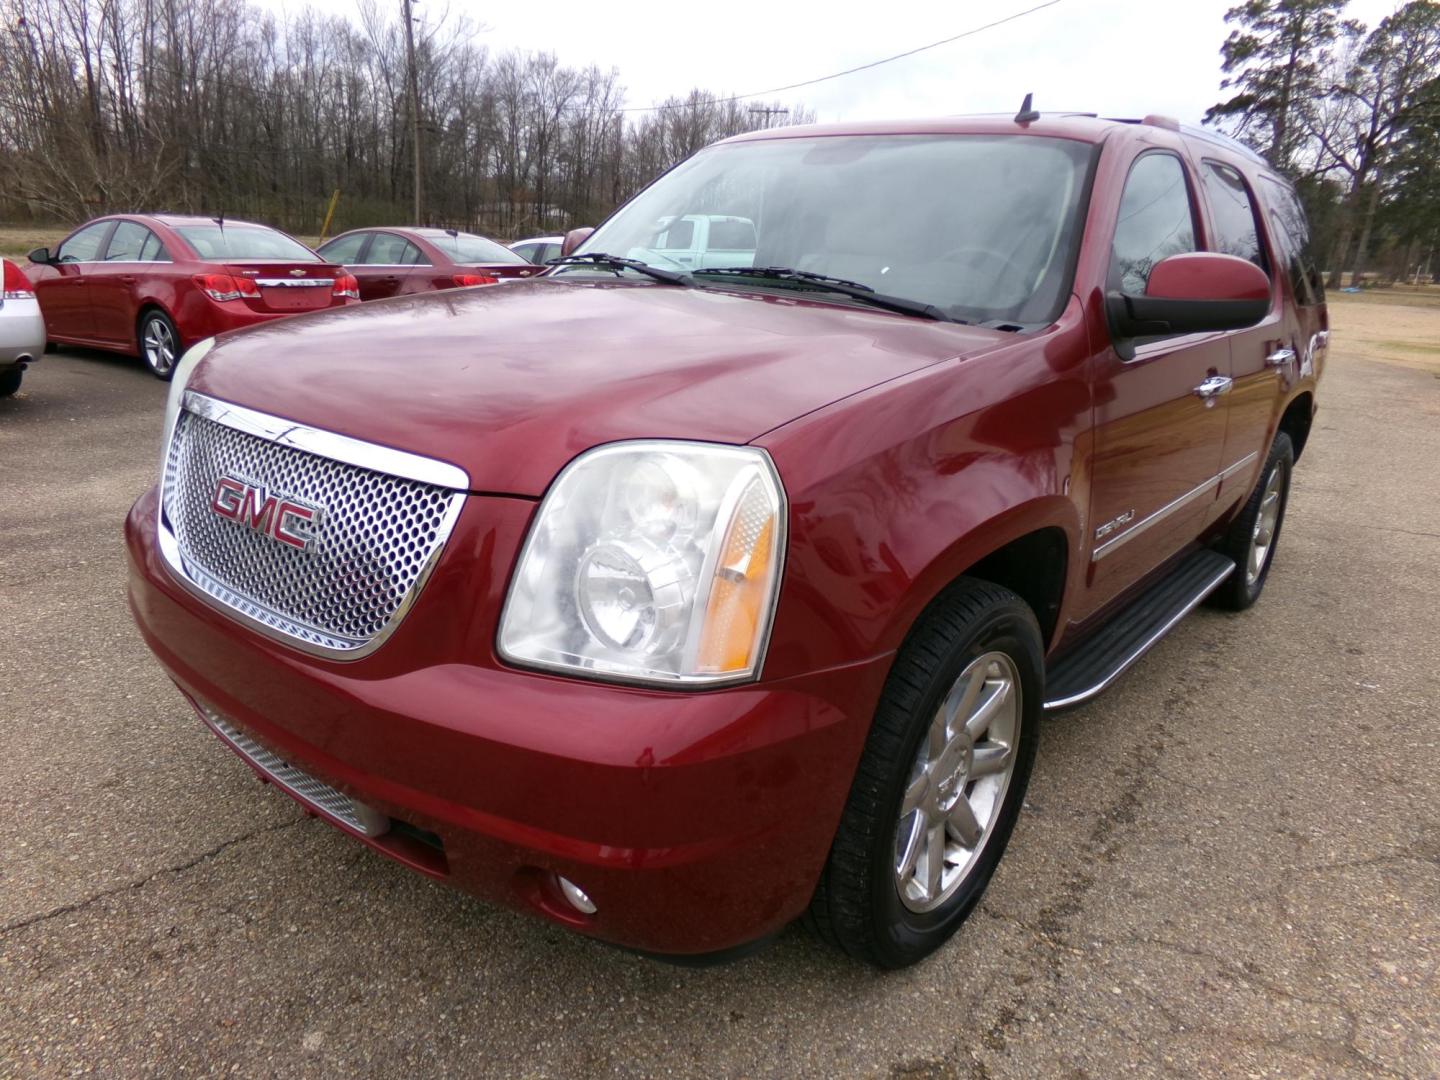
(1082, 673)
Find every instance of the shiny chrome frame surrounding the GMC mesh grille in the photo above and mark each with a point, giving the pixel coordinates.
(328, 446)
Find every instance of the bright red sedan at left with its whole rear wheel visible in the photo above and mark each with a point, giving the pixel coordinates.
(153, 284)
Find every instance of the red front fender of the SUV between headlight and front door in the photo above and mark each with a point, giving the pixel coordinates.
(898, 492)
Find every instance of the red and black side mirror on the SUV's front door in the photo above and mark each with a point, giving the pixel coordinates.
(1190, 294)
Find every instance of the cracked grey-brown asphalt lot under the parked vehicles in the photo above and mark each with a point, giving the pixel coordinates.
(1229, 866)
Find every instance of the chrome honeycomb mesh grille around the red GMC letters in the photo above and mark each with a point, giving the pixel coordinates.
(375, 541)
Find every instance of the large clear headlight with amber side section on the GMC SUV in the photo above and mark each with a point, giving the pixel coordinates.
(653, 562)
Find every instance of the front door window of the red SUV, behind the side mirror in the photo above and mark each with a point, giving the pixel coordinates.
(1157, 221)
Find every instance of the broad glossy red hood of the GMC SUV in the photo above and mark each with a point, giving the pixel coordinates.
(512, 382)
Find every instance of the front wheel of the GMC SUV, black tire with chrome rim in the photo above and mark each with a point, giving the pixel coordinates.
(941, 780)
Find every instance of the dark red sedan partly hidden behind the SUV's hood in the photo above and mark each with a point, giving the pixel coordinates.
(395, 263)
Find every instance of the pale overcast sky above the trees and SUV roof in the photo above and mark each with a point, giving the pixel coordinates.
(1120, 58)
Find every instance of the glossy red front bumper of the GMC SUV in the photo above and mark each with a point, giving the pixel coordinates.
(695, 822)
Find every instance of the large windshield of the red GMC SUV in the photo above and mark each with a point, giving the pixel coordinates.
(981, 227)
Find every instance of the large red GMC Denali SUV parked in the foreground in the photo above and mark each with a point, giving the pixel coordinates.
(689, 591)
